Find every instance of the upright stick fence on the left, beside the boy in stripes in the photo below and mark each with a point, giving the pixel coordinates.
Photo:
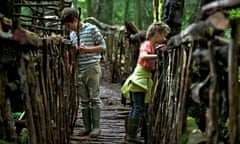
(45, 78)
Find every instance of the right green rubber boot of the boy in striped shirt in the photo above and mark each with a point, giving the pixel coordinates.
(95, 121)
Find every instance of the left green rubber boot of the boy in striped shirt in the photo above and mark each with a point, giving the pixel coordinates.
(86, 122)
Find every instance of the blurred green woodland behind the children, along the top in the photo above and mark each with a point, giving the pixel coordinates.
(141, 12)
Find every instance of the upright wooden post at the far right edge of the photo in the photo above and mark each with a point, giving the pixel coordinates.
(233, 92)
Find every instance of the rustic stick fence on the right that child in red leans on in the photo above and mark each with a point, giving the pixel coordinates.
(200, 70)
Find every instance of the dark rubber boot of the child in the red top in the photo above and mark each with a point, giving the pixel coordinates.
(132, 130)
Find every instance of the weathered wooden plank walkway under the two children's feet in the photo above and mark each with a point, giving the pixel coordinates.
(112, 121)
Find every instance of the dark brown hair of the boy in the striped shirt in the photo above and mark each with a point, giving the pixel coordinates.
(68, 14)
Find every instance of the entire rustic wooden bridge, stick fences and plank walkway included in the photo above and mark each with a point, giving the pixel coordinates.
(44, 78)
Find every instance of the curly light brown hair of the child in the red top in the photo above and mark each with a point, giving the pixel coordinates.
(157, 27)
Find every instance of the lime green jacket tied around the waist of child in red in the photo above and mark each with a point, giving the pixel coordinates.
(139, 81)
